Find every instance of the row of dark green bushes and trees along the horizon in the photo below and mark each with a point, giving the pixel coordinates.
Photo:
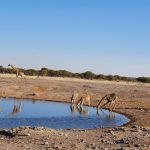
(63, 73)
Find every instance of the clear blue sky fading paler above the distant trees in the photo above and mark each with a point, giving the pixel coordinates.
(102, 36)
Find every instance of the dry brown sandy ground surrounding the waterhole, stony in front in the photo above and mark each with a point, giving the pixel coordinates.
(134, 102)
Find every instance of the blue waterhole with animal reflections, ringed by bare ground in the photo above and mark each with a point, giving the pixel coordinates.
(14, 113)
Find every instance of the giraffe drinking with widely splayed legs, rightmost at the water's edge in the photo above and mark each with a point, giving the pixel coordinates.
(110, 99)
